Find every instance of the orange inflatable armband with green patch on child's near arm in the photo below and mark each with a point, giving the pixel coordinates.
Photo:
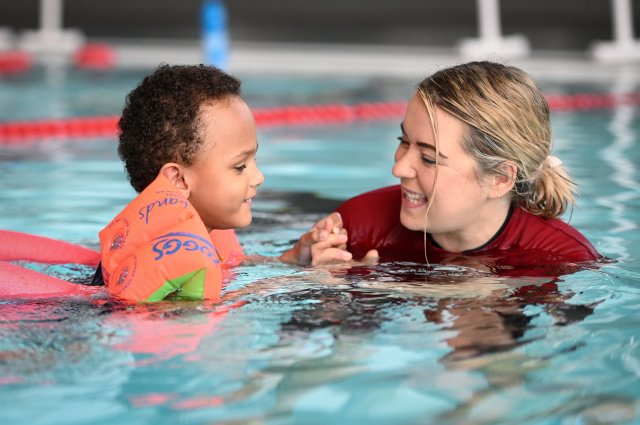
(158, 248)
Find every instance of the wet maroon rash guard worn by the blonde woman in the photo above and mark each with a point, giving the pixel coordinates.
(372, 220)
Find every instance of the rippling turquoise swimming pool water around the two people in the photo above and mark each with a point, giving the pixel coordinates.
(392, 343)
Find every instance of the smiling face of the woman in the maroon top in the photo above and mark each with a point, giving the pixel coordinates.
(460, 216)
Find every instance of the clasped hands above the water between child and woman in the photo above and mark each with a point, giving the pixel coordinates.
(324, 243)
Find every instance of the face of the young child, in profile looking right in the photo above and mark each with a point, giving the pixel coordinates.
(225, 177)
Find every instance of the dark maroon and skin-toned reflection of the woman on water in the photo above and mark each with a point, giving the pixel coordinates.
(487, 312)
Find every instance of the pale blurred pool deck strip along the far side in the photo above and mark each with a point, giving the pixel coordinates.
(368, 60)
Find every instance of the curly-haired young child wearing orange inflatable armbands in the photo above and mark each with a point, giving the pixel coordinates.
(188, 142)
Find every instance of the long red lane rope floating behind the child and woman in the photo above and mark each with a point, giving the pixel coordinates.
(106, 126)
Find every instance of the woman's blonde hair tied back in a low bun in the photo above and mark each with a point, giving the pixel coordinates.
(508, 120)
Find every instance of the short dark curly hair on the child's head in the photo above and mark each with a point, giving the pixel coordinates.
(160, 119)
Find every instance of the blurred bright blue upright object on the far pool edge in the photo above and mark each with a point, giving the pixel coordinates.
(215, 39)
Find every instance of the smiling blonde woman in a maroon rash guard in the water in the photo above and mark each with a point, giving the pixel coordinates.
(477, 181)
